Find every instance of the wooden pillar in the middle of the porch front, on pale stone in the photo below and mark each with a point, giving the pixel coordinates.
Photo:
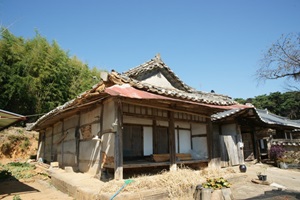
(172, 146)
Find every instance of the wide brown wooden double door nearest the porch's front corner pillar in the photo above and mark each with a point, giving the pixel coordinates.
(132, 142)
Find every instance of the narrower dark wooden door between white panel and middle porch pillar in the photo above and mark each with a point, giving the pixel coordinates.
(161, 140)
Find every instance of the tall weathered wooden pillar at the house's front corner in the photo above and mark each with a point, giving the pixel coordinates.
(118, 153)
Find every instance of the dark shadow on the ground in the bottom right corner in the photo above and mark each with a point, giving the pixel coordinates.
(278, 195)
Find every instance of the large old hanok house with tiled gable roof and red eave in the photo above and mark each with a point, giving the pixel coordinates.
(145, 117)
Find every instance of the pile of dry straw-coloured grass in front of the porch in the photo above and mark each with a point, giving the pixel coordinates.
(177, 183)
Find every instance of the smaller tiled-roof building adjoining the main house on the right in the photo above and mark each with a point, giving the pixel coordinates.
(248, 133)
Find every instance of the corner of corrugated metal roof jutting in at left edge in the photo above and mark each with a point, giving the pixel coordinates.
(9, 118)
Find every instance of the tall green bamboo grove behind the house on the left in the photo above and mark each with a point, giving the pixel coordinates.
(36, 76)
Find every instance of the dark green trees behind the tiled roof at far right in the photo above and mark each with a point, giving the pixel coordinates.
(283, 104)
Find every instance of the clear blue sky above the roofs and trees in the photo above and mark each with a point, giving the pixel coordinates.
(210, 45)
